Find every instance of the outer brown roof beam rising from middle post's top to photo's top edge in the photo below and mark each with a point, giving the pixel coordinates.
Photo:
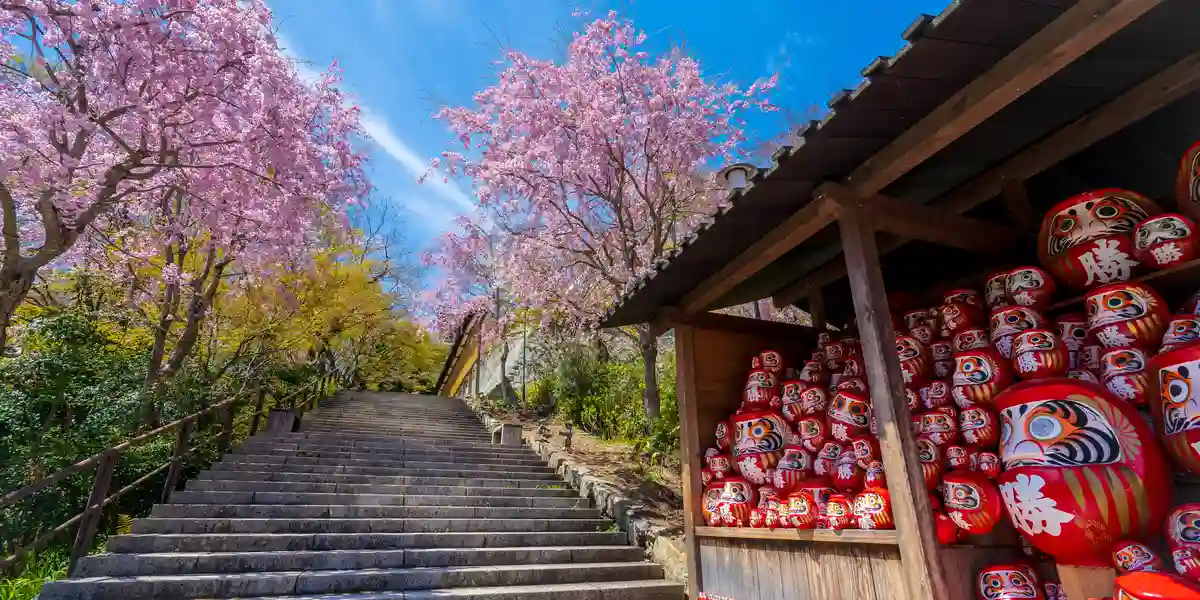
(1069, 38)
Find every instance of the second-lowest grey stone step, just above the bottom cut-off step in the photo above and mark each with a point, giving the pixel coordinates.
(187, 587)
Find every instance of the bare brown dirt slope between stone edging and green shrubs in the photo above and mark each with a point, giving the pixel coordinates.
(658, 487)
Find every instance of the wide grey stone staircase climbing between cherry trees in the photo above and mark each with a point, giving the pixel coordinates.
(381, 497)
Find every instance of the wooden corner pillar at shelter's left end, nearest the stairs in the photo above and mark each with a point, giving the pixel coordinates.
(689, 451)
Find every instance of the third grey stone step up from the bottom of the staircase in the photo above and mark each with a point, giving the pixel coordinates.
(127, 566)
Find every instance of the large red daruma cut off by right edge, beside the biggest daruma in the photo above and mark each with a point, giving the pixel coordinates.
(1175, 405)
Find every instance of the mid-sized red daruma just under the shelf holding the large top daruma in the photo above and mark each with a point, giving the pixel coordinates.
(1127, 315)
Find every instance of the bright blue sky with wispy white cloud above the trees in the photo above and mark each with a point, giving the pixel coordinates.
(403, 59)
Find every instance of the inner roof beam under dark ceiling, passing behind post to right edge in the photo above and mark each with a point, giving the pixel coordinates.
(1133, 106)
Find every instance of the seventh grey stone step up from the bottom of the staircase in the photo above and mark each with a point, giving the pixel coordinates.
(373, 500)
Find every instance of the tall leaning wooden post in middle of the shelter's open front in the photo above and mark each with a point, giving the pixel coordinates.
(922, 566)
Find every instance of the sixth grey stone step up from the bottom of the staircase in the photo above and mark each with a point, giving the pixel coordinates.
(344, 512)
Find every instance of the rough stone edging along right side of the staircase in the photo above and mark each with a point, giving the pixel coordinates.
(665, 550)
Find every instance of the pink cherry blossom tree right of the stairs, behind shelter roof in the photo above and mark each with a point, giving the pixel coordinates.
(592, 169)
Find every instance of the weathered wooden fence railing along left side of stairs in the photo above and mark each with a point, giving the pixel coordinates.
(104, 465)
